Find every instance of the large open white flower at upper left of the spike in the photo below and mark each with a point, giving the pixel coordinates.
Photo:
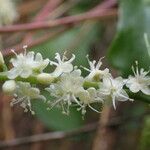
(24, 65)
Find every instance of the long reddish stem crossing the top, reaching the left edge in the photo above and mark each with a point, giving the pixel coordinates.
(62, 21)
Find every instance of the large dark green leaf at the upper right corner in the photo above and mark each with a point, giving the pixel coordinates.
(129, 45)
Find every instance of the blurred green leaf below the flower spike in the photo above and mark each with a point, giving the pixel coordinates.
(54, 119)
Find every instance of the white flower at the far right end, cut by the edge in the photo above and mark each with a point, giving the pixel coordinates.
(139, 82)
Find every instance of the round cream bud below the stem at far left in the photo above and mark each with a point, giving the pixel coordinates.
(9, 87)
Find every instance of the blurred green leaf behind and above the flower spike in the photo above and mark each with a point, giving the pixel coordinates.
(77, 41)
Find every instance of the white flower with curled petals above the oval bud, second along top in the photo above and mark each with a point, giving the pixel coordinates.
(63, 66)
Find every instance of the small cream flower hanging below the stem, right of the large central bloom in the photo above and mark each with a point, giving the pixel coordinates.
(87, 97)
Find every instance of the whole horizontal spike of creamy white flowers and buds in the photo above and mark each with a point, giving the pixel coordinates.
(66, 84)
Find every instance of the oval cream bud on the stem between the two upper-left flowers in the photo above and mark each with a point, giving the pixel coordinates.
(45, 78)
